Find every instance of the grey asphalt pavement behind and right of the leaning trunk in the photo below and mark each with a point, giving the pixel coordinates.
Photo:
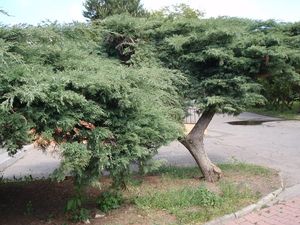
(275, 144)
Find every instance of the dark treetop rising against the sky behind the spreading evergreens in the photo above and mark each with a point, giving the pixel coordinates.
(100, 9)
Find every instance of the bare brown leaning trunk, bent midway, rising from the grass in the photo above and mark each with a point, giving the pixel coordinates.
(194, 143)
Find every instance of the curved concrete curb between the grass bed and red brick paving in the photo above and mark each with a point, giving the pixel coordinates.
(248, 209)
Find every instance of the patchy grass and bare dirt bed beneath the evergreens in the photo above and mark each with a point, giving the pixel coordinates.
(170, 195)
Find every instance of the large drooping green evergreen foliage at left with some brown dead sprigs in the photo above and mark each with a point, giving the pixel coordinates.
(57, 88)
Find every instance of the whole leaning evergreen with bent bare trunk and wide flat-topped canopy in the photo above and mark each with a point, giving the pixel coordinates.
(231, 64)
